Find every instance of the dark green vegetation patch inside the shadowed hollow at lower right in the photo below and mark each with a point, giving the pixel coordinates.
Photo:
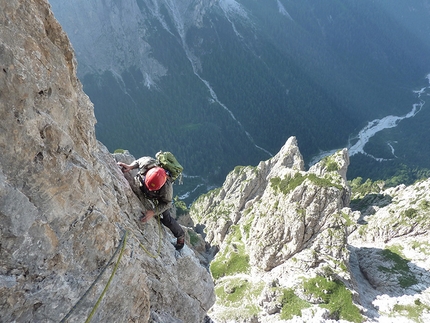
(400, 269)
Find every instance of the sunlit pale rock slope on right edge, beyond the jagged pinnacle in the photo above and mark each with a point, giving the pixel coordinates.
(390, 252)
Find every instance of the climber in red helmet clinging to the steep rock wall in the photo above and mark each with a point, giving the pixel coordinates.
(156, 185)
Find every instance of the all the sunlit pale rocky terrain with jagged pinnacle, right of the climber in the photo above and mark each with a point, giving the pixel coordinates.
(292, 249)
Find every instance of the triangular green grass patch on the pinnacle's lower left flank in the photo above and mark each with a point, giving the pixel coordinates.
(233, 259)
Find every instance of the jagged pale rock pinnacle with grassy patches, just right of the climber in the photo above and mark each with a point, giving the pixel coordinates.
(275, 223)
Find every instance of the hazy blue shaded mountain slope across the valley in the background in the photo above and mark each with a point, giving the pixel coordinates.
(224, 83)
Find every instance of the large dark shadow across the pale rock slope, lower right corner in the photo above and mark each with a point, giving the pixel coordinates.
(383, 272)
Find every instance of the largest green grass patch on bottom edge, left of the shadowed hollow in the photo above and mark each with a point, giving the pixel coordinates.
(335, 297)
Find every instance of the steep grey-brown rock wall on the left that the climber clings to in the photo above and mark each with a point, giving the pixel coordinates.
(64, 204)
